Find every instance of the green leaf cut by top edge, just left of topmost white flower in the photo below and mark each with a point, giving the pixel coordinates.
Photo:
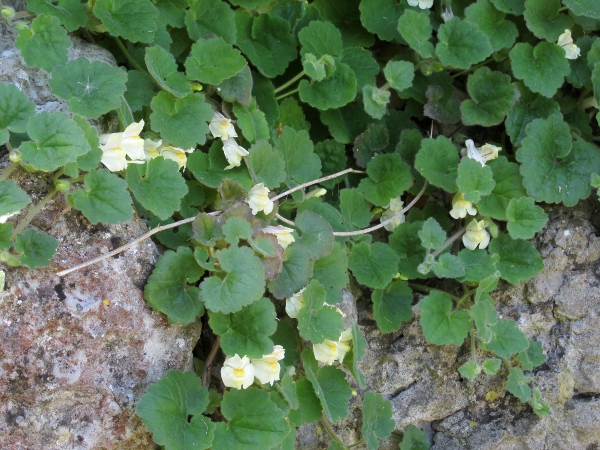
(381, 17)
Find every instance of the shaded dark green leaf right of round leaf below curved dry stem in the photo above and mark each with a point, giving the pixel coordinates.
(407, 245)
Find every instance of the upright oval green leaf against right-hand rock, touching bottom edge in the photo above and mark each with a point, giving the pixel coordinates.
(377, 419)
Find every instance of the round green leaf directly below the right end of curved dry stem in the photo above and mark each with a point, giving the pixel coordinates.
(373, 265)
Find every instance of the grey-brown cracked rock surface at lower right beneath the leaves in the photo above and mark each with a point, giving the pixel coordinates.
(559, 307)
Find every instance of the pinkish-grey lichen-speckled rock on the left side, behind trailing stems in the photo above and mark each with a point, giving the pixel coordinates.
(76, 353)
